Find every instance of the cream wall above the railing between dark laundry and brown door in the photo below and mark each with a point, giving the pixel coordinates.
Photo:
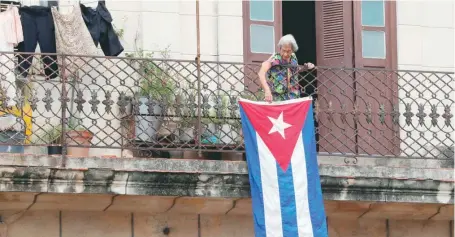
(156, 25)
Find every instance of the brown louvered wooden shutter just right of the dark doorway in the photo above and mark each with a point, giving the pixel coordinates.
(334, 43)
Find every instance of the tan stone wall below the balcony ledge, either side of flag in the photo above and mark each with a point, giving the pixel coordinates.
(25, 214)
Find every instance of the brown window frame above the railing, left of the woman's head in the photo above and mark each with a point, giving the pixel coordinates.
(248, 55)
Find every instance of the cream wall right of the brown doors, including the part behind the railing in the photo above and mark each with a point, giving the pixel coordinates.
(425, 34)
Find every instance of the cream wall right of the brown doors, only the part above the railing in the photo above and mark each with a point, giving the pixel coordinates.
(425, 35)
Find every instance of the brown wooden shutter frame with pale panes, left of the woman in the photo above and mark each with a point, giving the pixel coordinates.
(253, 60)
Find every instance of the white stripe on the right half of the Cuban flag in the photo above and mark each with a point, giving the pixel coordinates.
(298, 162)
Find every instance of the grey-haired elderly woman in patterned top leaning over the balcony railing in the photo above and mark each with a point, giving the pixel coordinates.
(279, 74)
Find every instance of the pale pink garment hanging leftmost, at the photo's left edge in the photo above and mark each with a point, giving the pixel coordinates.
(10, 35)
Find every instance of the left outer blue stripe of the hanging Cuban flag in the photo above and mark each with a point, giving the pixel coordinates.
(254, 173)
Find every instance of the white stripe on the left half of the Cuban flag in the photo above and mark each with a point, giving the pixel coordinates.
(270, 190)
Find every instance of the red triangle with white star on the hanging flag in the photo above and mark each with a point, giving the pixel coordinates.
(279, 126)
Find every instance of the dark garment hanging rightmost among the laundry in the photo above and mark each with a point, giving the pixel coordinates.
(99, 23)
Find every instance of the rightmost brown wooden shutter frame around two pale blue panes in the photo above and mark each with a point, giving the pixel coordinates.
(376, 88)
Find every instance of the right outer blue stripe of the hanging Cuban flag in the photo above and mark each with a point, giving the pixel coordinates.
(315, 199)
